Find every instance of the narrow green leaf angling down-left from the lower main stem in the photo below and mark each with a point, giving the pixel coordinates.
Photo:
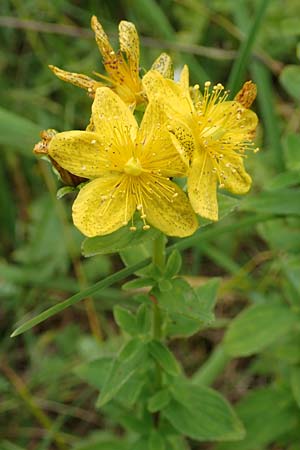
(126, 364)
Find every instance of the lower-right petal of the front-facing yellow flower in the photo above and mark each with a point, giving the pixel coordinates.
(174, 216)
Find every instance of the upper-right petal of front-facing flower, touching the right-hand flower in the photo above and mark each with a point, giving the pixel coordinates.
(156, 149)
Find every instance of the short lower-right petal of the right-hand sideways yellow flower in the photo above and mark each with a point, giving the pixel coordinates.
(233, 175)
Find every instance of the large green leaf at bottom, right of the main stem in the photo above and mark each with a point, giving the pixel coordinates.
(202, 413)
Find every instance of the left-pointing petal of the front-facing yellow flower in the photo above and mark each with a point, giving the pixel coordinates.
(79, 152)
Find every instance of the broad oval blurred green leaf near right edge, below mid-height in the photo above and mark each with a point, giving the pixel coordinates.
(257, 327)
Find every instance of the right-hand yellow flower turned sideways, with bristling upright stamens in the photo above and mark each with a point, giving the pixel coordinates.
(211, 135)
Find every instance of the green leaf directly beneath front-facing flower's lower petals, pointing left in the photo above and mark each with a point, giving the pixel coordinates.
(115, 242)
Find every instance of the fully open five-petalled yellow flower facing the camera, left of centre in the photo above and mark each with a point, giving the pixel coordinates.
(129, 169)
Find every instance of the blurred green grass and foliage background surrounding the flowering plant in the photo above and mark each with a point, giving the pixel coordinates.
(47, 397)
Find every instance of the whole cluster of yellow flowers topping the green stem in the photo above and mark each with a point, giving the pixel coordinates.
(186, 132)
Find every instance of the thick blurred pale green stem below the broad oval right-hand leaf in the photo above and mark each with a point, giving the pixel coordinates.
(214, 365)
